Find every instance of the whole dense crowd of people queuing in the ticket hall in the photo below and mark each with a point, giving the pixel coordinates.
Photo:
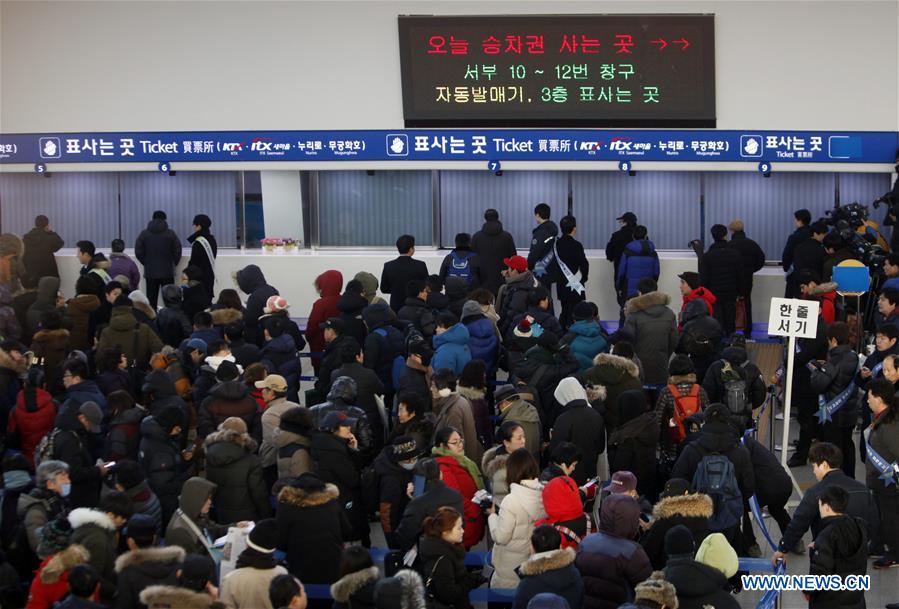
(456, 413)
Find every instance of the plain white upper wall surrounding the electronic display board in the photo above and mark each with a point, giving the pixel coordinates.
(169, 66)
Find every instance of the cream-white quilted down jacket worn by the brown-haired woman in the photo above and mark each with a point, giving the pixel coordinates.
(511, 531)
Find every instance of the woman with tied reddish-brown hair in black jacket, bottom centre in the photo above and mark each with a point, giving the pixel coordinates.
(443, 558)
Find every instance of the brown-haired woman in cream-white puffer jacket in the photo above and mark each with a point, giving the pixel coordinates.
(511, 528)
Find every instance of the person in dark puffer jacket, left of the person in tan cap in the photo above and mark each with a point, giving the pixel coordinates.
(229, 398)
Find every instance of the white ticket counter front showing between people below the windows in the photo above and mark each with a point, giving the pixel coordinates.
(294, 275)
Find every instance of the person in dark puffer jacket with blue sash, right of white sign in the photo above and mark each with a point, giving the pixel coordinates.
(830, 380)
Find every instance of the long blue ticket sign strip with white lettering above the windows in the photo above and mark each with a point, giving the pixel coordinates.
(452, 145)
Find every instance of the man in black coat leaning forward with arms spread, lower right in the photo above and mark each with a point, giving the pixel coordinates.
(826, 459)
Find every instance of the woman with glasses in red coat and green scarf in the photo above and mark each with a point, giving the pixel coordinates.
(460, 473)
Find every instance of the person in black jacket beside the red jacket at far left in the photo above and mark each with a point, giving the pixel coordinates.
(71, 446)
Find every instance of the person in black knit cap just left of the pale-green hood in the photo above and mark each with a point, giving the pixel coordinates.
(698, 585)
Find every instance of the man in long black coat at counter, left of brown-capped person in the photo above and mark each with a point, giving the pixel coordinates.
(721, 271)
